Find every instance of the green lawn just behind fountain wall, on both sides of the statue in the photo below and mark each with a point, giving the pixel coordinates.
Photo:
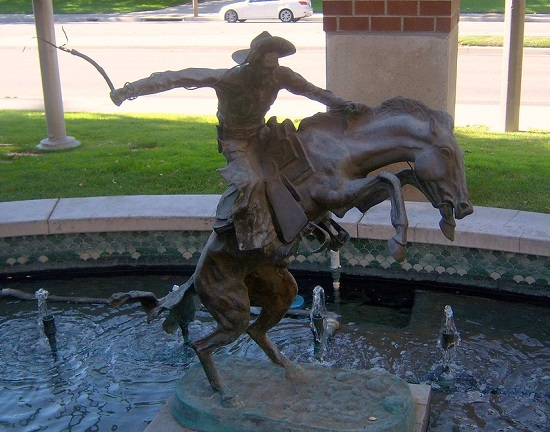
(154, 154)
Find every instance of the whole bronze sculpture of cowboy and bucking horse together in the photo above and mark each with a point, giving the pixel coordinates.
(297, 177)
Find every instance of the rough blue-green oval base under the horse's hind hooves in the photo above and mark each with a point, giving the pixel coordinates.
(331, 400)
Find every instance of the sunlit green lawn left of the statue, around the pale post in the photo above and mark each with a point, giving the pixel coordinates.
(119, 155)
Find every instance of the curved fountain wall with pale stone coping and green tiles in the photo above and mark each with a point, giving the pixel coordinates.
(109, 235)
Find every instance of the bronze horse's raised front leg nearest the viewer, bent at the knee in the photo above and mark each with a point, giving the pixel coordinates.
(365, 193)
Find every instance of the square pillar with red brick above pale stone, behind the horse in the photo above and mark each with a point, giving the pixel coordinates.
(378, 49)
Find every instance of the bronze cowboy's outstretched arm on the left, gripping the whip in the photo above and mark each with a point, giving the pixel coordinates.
(163, 81)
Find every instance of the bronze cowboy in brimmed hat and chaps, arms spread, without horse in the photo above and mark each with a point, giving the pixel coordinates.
(245, 94)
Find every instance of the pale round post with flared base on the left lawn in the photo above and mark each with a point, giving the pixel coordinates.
(51, 86)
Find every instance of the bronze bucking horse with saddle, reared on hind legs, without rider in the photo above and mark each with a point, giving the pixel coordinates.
(326, 167)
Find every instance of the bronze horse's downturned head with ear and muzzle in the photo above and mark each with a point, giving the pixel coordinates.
(440, 174)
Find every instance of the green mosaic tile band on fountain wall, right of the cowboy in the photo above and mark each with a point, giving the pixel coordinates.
(487, 269)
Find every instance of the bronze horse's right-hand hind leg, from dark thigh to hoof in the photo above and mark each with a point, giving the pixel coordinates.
(274, 288)
